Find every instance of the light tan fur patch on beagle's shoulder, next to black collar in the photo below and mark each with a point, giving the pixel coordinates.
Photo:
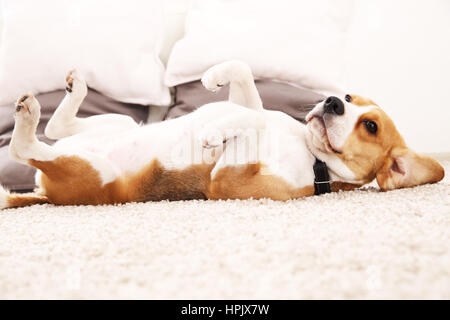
(246, 181)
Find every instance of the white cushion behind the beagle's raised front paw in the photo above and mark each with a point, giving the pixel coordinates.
(301, 41)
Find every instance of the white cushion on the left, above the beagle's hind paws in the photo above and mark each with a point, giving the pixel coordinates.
(113, 43)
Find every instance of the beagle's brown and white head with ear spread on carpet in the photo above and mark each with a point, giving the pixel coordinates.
(355, 132)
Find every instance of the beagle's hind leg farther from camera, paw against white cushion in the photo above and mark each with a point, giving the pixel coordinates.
(64, 121)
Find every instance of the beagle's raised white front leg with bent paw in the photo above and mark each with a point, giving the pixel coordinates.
(242, 85)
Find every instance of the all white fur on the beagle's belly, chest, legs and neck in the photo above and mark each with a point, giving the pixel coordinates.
(115, 145)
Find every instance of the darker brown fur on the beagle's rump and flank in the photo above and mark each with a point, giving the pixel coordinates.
(73, 181)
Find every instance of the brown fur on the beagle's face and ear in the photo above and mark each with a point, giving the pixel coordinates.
(370, 156)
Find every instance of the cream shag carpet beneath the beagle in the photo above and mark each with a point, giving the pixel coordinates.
(358, 245)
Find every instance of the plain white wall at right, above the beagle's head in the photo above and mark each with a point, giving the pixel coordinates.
(399, 55)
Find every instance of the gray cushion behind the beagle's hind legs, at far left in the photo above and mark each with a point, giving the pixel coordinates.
(18, 177)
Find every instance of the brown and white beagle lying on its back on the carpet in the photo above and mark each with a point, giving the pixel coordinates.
(225, 150)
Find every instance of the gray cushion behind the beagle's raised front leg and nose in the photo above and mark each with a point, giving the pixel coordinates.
(294, 101)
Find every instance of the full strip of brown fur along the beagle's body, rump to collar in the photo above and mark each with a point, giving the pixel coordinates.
(73, 181)
